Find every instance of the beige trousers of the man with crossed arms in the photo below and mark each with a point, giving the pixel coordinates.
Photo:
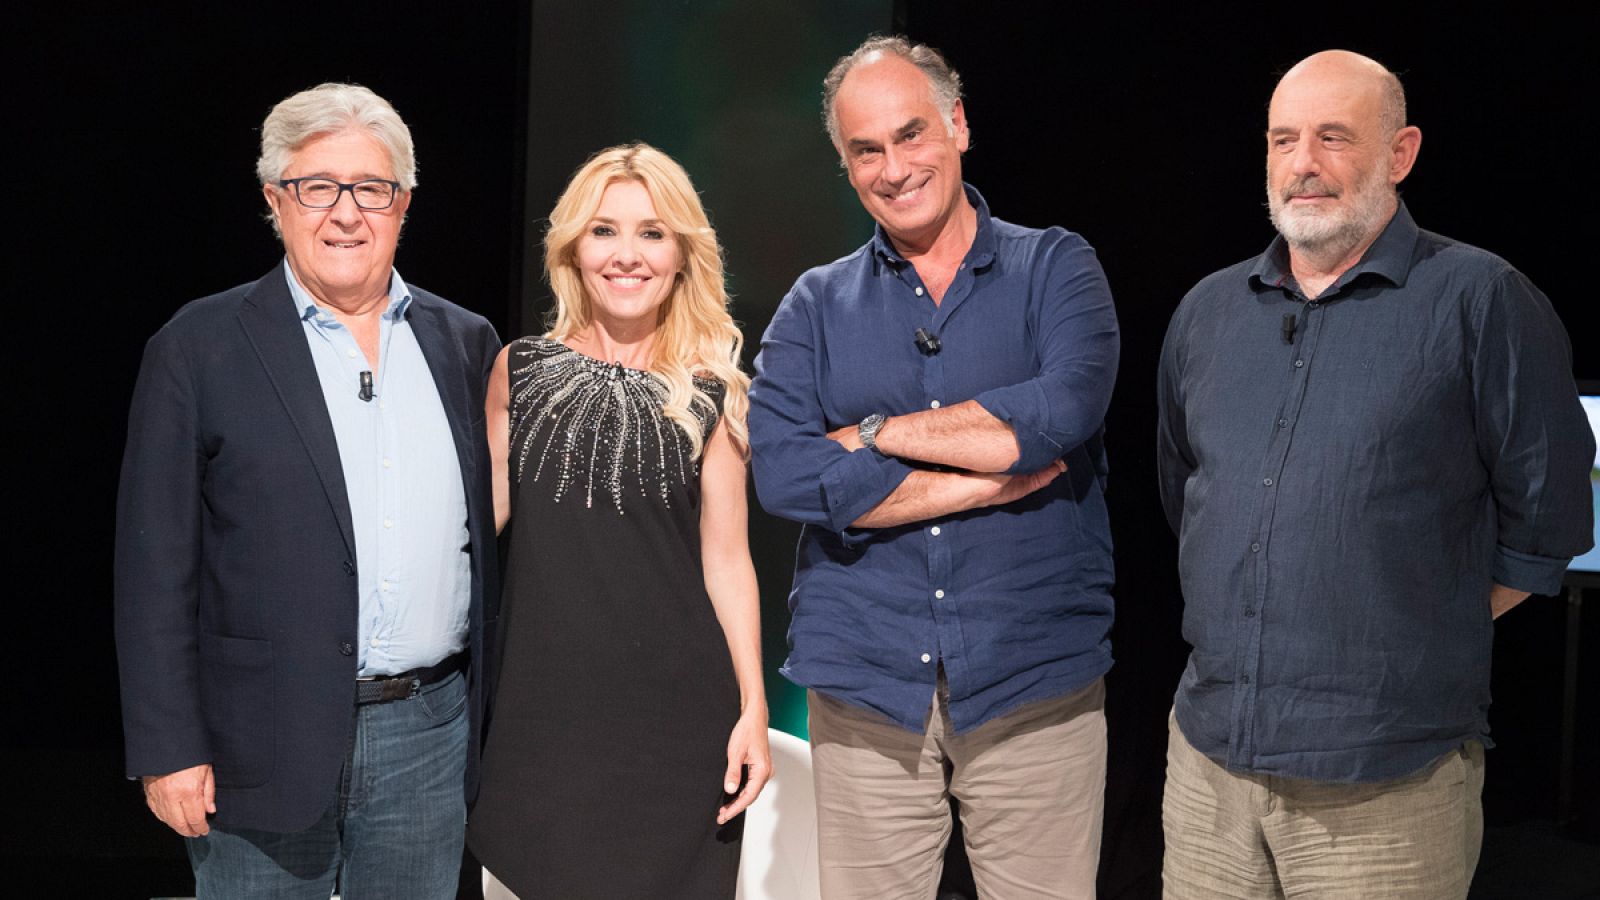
(1031, 787)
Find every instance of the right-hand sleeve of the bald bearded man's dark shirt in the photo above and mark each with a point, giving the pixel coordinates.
(1534, 436)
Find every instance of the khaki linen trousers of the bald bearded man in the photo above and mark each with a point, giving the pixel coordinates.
(1262, 837)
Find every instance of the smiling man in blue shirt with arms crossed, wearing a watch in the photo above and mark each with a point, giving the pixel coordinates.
(930, 408)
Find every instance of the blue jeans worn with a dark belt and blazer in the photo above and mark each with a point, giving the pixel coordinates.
(394, 832)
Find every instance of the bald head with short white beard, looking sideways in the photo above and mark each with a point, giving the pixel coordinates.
(1332, 163)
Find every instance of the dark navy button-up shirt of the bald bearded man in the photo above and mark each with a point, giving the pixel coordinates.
(1348, 486)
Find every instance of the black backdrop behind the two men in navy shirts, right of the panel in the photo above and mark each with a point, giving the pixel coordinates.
(1142, 127)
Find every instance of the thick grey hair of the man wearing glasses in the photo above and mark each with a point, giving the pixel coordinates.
(329, 110)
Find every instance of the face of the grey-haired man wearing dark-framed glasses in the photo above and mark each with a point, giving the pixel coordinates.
(342, 255)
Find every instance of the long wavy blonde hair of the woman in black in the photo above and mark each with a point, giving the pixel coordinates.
(695, 334)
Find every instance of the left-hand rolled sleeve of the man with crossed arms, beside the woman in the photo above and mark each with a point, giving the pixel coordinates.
(801, 473)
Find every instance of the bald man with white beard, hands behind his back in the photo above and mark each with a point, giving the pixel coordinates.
(1370, 448)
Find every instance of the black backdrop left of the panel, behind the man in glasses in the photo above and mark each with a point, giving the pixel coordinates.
(129, 190)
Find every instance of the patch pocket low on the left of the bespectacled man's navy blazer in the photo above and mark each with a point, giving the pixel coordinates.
(238, 702)
